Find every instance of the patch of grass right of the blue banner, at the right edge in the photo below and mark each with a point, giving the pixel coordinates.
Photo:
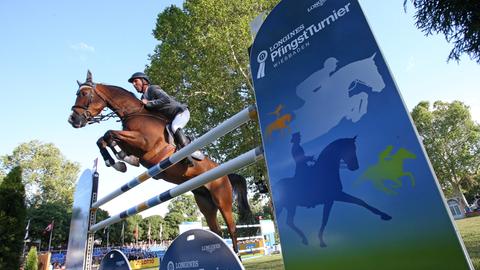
(470, 230)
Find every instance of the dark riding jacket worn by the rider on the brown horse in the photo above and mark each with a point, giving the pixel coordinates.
(159, 100)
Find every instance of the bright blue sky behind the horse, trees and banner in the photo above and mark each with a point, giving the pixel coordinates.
(48, 45)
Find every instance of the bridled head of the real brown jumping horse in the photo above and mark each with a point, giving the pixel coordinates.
(87, 105)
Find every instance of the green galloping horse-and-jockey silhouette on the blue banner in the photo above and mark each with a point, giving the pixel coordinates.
(389, 167)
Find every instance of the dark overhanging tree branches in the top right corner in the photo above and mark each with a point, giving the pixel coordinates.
(458, 20)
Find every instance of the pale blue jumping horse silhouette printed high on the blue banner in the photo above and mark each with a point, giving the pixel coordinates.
(336, 97)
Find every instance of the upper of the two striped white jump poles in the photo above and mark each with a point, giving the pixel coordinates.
(225, 127)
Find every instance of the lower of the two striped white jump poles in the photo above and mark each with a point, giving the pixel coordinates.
(232, 165)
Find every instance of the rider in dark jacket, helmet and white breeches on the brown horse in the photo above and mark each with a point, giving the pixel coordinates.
(156, 99)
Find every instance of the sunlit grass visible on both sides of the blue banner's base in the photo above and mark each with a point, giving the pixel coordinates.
(469, 229)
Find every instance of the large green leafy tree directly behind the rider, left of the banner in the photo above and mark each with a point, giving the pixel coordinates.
(202, 59)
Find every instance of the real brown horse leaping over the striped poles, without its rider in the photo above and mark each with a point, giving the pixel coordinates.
(143, 140)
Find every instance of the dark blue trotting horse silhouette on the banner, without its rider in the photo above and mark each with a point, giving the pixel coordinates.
(320, 184)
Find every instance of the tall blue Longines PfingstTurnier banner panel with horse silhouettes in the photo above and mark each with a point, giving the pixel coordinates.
(351, 184)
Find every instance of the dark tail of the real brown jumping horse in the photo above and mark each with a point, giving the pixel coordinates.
(239, 184)
